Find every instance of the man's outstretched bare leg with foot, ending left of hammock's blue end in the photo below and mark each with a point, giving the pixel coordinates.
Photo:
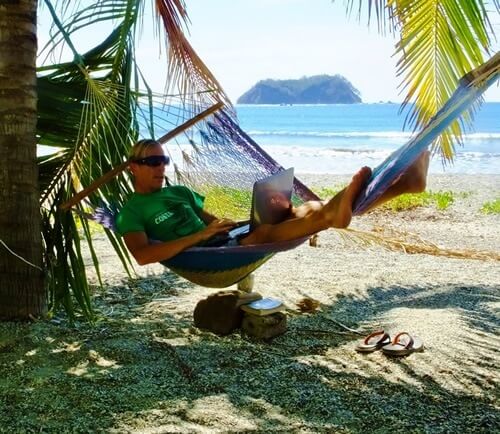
(337, 212)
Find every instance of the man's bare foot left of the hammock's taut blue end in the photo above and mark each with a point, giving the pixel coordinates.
(338, 210)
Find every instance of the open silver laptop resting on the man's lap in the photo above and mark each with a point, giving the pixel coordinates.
(271, 202)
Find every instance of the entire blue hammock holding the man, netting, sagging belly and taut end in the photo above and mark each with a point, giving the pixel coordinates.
(216, 151)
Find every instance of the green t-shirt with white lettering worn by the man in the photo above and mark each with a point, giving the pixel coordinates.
(167, 214)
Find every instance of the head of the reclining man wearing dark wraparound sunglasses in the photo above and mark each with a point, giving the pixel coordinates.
(147, 164)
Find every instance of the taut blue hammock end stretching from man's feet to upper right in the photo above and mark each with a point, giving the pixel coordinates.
(470, 89)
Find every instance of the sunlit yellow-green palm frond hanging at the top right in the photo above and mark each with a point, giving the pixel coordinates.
(440, 41)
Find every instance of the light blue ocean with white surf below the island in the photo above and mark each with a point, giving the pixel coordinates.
(339, 139)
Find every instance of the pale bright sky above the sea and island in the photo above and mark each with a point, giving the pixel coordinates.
(243, 42)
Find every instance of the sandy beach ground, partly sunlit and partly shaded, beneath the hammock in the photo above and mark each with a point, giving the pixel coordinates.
(147, 369)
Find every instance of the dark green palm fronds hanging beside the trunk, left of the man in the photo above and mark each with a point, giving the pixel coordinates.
(86, 110)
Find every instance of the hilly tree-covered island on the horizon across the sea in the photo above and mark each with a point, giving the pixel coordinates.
(318, 89)
